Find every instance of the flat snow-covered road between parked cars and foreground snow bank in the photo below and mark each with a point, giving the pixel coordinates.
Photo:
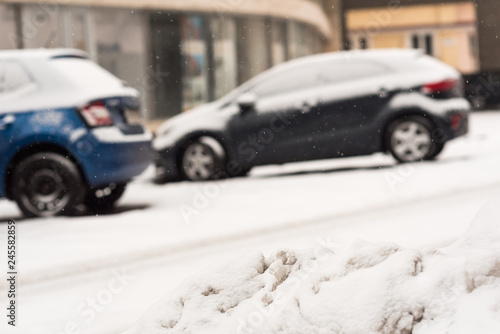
(99, 274)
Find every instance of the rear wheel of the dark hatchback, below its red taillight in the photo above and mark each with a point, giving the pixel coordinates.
(409, 139)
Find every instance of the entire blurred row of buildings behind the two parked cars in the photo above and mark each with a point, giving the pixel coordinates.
(182, 54)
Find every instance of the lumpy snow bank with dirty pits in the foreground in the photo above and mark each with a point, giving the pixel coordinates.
(369, 288)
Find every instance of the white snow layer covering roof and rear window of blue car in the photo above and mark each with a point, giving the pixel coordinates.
(59, 78)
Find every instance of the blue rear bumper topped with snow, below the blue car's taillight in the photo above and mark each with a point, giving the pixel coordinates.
(111, 157)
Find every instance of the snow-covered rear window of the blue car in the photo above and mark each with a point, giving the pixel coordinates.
(84, 73)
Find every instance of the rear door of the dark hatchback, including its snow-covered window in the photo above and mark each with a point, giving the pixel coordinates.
(353, 95)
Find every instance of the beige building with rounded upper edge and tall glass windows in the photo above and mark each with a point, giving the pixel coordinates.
(177, 53)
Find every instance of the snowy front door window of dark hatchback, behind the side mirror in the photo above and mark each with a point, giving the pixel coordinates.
(288, 81)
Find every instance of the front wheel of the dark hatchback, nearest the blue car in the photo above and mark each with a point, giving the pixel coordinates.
(202, 160)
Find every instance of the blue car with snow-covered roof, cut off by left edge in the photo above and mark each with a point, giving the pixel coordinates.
(70, 132)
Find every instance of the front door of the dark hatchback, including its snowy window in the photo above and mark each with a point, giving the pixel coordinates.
(278, 128)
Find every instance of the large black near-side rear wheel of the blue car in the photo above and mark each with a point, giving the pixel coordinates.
(47, 184)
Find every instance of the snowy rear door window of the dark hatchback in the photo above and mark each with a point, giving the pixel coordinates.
(341, 71)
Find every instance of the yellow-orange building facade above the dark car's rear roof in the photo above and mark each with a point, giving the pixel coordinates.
(445, 31)
